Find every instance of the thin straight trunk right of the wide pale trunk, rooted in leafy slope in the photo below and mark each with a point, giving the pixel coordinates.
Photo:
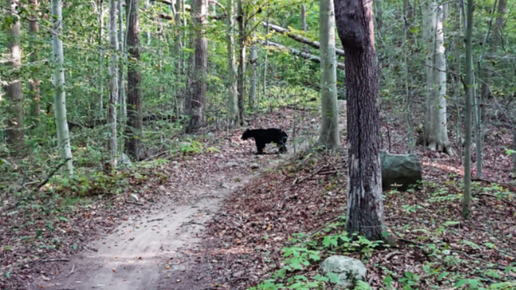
(466, 203)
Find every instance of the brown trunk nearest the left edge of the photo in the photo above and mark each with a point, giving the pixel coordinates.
(14, 96)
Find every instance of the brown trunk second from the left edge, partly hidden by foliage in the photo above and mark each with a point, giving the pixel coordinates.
(34, 57)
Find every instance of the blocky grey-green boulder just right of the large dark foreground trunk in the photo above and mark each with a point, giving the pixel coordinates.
(402, 170)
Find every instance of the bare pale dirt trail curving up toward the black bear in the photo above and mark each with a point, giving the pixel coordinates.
(146, 248)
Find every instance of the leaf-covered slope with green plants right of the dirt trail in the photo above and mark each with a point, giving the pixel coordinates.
(274, 233)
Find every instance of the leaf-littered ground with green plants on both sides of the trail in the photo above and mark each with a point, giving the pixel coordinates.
(274, 232)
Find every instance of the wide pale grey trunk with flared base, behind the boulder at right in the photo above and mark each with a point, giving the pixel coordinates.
(435, 134)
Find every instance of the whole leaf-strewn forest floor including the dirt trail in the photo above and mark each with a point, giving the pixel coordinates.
(220, 219)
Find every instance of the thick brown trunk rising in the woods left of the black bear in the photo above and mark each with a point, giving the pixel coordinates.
(197, 100)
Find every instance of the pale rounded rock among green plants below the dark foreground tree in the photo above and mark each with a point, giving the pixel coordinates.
(348, 270)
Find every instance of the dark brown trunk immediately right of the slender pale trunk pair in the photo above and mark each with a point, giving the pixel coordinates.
(133, 141)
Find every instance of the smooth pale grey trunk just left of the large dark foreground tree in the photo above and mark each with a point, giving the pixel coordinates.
(329, 135)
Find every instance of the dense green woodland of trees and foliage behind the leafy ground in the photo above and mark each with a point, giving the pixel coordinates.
(154, 78)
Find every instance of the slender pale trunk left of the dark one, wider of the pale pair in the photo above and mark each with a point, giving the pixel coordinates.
(113, 83)
